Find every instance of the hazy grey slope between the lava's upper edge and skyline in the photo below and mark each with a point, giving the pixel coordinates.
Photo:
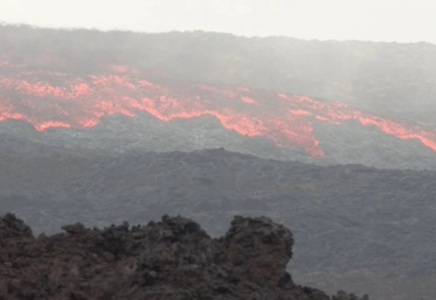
(397, 80)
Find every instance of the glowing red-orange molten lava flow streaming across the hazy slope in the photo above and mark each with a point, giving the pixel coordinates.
(55, 99)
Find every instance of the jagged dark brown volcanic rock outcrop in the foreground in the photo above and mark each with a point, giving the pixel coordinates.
(170, 259)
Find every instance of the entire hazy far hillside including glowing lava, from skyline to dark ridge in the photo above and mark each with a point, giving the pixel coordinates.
(85, 89)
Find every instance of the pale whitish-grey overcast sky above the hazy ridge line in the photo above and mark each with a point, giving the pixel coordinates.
(375, 20)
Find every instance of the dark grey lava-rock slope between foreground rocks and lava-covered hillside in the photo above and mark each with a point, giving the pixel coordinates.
(373, 229)
